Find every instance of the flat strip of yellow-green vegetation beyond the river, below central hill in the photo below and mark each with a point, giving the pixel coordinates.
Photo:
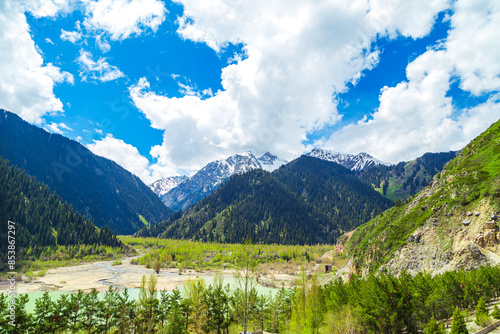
(204, 256)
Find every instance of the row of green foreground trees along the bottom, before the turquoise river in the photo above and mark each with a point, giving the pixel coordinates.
(374, 304)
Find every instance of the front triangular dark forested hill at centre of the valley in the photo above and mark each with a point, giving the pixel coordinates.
(252, 205)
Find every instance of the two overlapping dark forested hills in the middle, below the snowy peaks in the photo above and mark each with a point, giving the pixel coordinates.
(305, 202)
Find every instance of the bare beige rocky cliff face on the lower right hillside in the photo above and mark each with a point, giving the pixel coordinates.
(452, 240)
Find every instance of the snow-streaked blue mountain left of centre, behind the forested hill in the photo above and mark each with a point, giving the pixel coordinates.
(180, 193)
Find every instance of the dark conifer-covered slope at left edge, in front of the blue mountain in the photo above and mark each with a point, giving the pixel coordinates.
(40, 217)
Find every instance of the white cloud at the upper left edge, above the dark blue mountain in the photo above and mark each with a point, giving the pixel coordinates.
(26, 84)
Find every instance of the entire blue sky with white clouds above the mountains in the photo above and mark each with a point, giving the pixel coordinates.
(164, 87)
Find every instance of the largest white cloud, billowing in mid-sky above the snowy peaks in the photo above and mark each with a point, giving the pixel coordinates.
(298, 56)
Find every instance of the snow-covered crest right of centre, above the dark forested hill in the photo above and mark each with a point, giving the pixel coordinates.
(353, 162)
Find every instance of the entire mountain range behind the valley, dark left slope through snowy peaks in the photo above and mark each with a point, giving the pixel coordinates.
(325, 190)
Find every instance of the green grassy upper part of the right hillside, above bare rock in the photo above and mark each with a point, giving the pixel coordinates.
(470, 180)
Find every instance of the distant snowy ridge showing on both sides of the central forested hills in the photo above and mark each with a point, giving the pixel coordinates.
(394, 181)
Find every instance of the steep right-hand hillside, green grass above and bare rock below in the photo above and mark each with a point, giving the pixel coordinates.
(451, 224)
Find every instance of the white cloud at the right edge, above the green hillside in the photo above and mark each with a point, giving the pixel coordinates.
(417, 116)
